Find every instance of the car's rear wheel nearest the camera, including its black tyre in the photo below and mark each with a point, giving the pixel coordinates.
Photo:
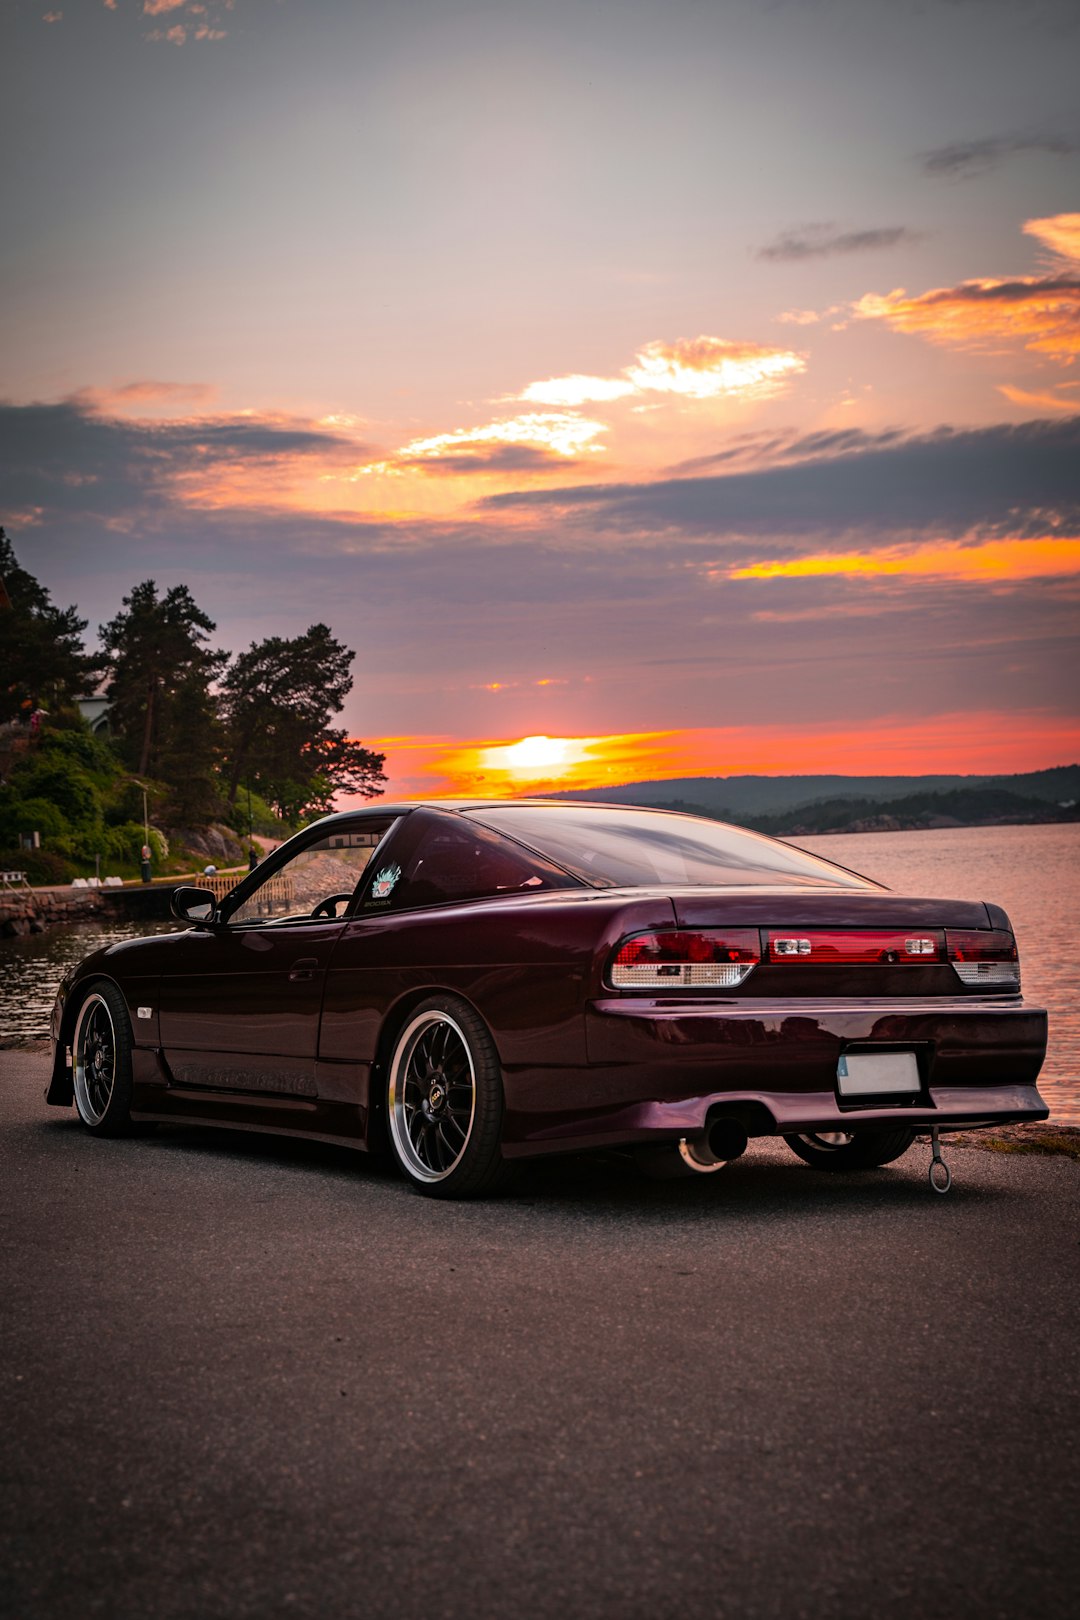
(444, 1101)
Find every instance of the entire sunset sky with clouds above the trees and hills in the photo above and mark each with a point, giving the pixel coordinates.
(644, 388)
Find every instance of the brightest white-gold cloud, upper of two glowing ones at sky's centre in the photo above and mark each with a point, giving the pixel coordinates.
(695, 369)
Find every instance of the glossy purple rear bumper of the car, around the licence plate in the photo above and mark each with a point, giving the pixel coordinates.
(661, 1070)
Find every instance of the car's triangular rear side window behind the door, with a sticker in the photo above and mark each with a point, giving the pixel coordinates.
(457, 861)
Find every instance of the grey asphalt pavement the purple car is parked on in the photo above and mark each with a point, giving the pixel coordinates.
(245, 1378)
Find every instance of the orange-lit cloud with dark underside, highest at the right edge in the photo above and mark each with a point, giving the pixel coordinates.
(1044, 313)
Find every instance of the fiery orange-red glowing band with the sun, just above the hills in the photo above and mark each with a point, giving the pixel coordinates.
(891, 744)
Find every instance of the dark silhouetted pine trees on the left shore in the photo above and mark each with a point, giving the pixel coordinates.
(203, 727)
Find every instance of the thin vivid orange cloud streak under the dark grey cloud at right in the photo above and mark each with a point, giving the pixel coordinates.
(992, 563)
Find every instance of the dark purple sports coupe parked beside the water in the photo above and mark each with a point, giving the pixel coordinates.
(475, 983)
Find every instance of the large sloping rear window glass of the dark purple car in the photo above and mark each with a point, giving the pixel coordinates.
(626, 848)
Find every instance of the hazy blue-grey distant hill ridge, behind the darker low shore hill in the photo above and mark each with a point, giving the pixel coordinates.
(741, 798)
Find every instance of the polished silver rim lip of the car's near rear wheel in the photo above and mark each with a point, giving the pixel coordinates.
(423, 1122)
